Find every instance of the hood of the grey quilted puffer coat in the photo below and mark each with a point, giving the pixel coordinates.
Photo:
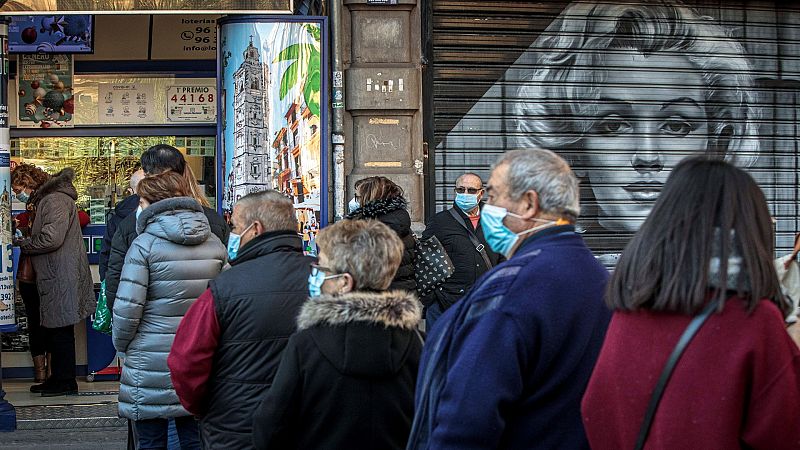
(180, 220)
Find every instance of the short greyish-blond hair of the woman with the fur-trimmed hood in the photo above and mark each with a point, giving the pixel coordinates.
(366, 249)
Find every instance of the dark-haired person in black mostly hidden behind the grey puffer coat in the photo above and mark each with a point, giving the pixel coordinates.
(157, 159)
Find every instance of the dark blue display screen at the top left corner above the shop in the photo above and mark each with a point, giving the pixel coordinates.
(51, 34)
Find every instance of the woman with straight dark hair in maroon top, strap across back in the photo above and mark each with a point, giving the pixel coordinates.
(707, 244)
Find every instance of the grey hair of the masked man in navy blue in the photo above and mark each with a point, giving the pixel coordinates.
(543, 171)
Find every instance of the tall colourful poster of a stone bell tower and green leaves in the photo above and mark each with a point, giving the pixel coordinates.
(272, 105)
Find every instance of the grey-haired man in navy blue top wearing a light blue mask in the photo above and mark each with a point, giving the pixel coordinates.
(506, 367)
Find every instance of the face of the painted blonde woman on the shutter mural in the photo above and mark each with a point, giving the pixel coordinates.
(650, 115)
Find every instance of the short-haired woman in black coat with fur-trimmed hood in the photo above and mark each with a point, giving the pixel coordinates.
(347, 377)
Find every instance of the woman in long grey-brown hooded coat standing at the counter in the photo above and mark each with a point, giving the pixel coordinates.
(63, 293)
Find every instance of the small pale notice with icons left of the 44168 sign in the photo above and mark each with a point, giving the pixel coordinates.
(126, 103)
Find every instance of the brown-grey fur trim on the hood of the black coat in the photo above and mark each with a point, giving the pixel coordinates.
(389, 308)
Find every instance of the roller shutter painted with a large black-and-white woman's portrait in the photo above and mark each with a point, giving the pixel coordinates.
(490, 95)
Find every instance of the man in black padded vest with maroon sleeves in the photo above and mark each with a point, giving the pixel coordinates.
(228, 345)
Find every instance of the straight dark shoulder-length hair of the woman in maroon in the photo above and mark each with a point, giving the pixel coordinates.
(666, 266)
